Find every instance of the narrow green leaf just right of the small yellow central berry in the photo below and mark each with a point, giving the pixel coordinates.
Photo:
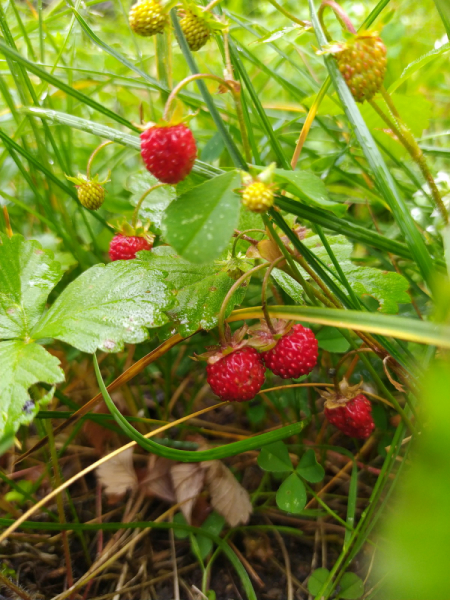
(309, 188)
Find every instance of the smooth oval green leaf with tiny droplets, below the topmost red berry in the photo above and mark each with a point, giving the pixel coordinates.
(200, 222)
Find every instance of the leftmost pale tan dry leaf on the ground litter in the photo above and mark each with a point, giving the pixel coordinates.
(118, 475)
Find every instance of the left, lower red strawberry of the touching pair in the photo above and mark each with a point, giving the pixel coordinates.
(237, 376)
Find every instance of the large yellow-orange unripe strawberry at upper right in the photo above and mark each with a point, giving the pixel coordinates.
(362, 62)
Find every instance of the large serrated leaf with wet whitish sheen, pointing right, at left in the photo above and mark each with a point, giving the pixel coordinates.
(107, 306)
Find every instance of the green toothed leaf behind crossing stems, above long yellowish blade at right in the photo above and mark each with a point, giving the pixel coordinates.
(387, 287)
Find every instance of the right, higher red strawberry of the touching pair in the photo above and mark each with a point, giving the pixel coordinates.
(295, 354)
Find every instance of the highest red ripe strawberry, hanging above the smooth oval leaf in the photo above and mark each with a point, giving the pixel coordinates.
(168, 152)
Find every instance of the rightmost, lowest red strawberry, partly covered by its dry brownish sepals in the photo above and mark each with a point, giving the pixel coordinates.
(352, 417)
